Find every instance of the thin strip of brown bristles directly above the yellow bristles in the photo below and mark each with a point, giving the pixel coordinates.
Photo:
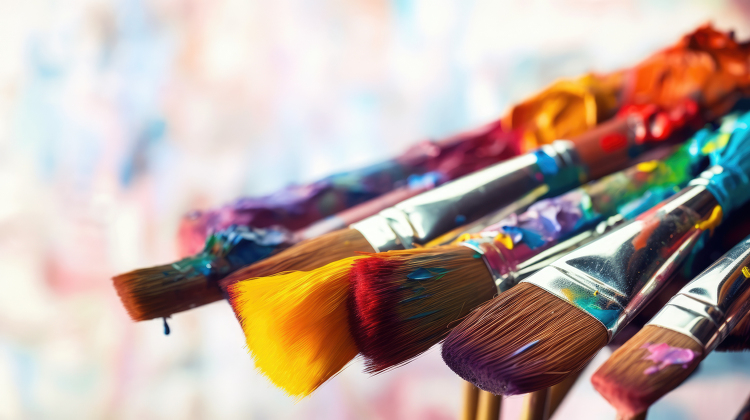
(305, 256)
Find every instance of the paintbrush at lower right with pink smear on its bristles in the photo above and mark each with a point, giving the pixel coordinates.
(670, 346)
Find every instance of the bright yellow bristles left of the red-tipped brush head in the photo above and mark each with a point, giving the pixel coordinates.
(295, 325)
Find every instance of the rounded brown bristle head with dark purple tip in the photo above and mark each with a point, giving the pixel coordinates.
(523, 341)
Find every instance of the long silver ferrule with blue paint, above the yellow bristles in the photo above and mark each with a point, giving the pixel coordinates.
(426, 216)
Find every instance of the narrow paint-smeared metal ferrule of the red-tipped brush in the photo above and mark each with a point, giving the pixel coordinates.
(508, 268)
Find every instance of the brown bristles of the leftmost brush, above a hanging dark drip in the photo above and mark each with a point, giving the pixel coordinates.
(160, 291)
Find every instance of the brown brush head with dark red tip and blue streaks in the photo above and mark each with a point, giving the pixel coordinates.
(404, 302)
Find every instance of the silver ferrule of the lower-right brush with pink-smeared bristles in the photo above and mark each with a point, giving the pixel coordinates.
(710, 306)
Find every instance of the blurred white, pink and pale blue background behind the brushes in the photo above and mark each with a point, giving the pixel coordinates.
(119, 116)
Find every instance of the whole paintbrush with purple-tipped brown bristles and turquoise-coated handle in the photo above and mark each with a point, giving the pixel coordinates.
(554, 322)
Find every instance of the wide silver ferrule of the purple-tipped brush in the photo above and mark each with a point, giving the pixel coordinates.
(615, 276)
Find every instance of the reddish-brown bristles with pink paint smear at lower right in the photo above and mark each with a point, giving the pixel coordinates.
(624, 379)
